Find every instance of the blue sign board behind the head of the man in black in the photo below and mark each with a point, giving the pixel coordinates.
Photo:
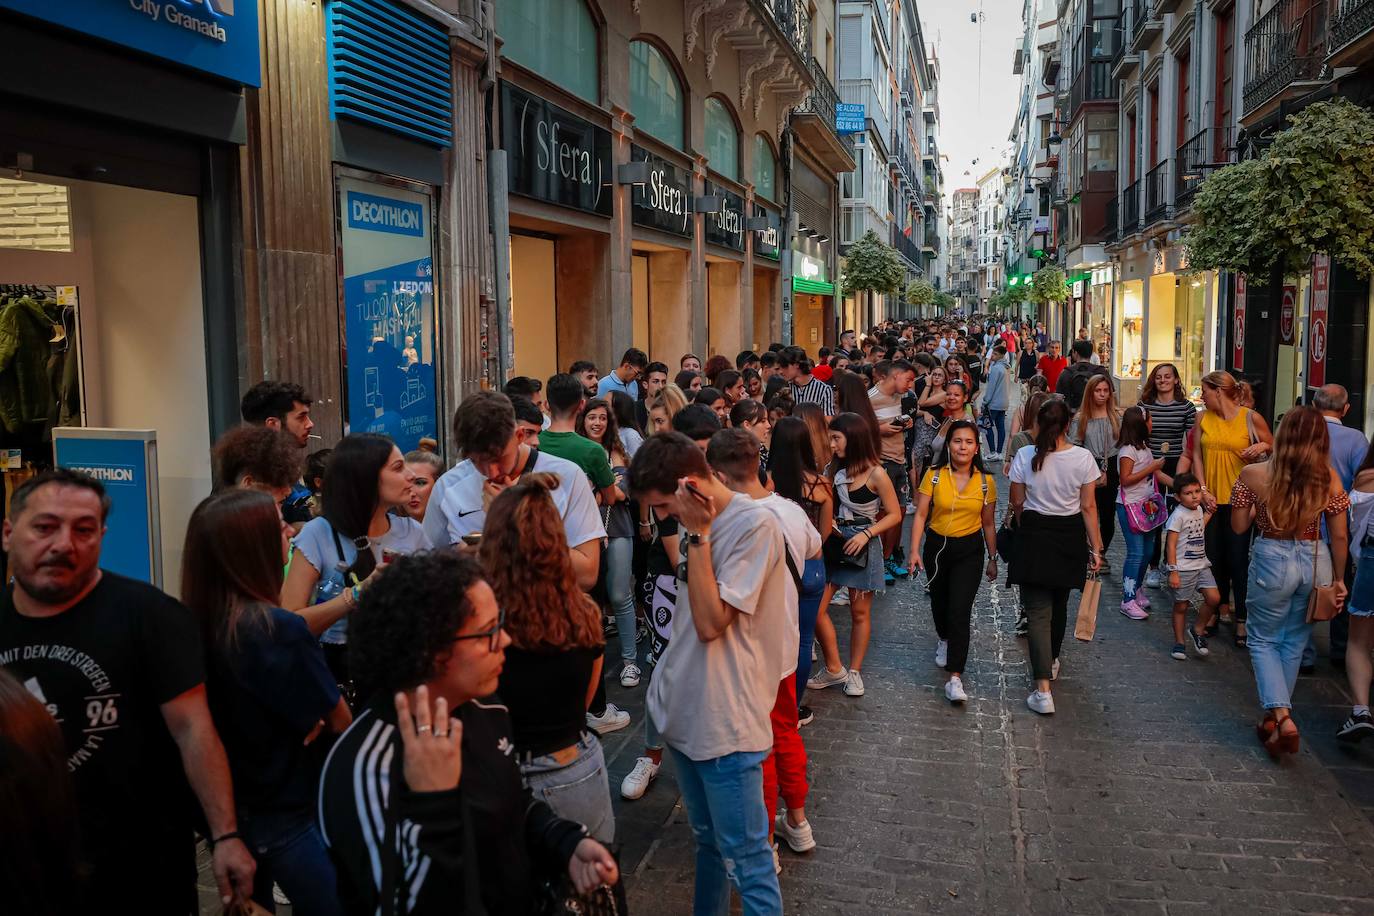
(126, 463)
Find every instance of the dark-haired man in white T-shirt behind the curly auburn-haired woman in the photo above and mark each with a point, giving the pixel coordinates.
(494, 459)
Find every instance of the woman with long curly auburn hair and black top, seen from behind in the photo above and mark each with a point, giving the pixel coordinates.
(556, 657)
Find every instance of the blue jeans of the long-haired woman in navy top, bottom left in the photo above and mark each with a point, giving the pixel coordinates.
(291, 852)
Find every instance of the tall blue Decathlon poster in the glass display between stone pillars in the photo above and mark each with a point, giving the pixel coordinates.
(390, 334)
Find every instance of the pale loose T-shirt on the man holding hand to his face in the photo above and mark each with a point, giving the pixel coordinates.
(711, 700)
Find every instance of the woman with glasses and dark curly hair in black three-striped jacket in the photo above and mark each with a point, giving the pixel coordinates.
(423, 799)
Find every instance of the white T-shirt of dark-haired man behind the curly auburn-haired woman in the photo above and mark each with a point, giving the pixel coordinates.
(461, 510)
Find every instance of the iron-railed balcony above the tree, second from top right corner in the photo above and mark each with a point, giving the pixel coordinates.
(1284, 50)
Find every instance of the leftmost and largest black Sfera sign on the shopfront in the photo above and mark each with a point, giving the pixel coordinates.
(556, 156)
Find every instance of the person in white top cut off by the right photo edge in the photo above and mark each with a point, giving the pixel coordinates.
(1361, 604)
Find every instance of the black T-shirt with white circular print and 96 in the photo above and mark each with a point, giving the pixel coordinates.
(104, 668)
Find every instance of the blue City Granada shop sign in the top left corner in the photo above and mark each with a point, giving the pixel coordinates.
(216, 36)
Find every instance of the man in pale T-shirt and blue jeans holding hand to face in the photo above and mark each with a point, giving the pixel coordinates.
(714, 689)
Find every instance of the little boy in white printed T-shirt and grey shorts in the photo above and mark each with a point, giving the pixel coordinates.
(1185, 554)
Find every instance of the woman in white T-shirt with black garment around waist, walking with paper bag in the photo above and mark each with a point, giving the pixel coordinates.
(1055, 503)
